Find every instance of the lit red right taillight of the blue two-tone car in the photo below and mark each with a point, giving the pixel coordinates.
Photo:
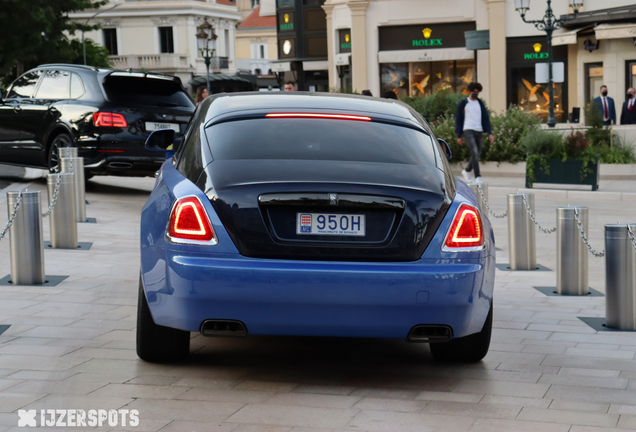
(466, 232)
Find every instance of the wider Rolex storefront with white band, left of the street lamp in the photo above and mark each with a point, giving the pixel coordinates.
(419, 60)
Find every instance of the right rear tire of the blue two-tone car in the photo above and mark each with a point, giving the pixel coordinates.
(469, 349)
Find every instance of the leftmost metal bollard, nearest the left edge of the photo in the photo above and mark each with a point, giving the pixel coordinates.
(26, 243)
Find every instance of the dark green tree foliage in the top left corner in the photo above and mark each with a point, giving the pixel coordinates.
(35, 31)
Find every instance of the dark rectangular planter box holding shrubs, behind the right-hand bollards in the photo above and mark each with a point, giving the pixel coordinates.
(568, 172)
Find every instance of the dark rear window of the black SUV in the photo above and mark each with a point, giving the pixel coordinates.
(146, 92)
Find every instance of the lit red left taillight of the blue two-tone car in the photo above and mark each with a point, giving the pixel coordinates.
(189, 222)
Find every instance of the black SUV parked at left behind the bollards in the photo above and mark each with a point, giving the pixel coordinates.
(106, 113)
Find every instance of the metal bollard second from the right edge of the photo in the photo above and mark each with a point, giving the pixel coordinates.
(572, 258)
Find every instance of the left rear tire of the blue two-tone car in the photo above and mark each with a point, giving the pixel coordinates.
(155, 343)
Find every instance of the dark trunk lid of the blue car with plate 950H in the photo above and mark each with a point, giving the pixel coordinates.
(261, 203)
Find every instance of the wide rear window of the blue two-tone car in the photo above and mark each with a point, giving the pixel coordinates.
(320, 139)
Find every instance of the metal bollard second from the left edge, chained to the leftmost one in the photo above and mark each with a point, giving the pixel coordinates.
(63, 220)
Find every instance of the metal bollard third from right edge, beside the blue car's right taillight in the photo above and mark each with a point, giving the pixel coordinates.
(521, 235)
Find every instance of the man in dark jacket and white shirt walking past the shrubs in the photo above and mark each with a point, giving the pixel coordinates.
(471, 122)
